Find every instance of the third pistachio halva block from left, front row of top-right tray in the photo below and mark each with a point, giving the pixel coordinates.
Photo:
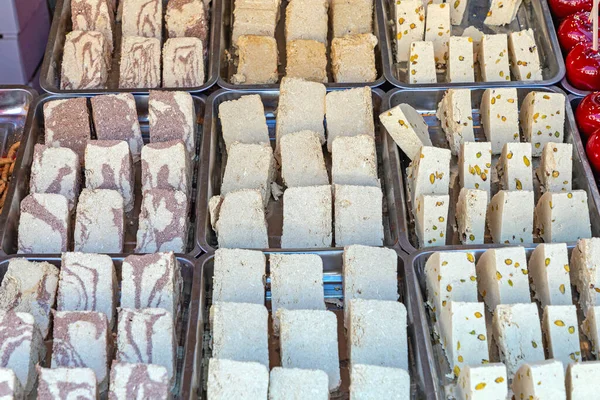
(493, 58)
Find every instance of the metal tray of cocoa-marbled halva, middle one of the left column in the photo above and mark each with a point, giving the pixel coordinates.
(35, 134)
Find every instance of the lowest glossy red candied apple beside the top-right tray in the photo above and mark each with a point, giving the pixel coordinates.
(583, 67)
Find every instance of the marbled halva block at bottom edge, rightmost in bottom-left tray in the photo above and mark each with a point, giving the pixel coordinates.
(147, 381)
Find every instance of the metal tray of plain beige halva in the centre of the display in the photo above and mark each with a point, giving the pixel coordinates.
(214, 159)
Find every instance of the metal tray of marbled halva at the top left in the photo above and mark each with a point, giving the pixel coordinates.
(61, 25)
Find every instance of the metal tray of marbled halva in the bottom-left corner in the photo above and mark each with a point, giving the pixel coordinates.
(186, 329)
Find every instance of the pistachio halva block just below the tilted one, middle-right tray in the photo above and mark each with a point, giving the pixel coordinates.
(429, 173)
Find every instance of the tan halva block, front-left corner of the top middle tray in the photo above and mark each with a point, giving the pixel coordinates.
(258, 60)
